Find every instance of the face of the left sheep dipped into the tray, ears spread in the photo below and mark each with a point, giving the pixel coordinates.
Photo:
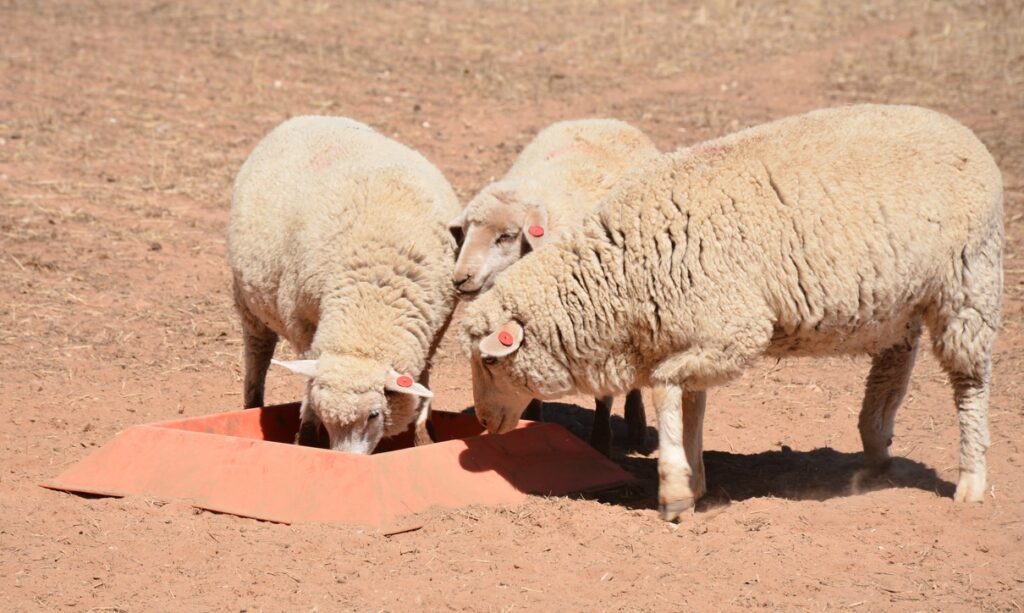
(359, 402)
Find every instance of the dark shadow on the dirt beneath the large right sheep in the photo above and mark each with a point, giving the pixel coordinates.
(814, 475)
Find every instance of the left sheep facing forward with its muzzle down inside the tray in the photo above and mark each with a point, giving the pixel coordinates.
(337, 243)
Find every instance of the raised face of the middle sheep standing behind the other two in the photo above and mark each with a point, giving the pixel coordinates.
(494, 232)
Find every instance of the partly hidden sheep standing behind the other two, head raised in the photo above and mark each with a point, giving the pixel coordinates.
(558, 181)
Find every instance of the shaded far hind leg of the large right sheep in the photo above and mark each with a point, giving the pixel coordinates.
(886, 387)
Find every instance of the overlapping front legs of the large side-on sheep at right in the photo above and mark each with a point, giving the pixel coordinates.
(680, 463)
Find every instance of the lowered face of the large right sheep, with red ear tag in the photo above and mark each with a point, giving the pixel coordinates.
(507, 375)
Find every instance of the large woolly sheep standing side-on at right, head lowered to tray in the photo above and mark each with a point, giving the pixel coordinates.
(840, 232)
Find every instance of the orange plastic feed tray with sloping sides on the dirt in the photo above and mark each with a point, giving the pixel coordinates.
(239, 463)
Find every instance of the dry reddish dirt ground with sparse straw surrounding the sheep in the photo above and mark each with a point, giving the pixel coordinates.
(122, 125)
